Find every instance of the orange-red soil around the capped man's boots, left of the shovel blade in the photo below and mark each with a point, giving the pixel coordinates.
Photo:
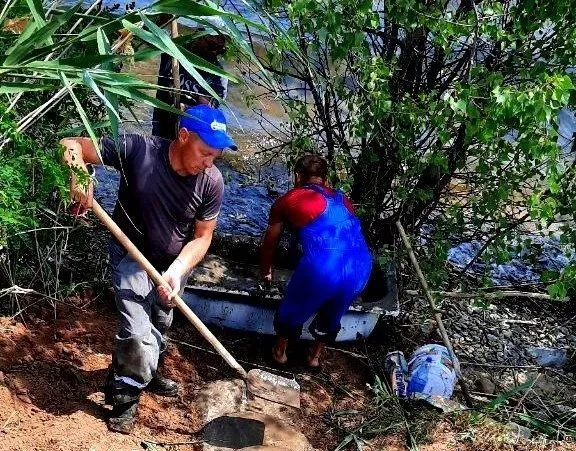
(50, 386)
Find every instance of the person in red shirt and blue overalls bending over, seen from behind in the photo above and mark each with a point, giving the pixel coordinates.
(335, 265)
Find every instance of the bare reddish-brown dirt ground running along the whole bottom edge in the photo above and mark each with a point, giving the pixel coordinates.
(53, 362)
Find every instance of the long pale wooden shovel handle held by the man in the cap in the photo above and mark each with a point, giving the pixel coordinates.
(159, 281)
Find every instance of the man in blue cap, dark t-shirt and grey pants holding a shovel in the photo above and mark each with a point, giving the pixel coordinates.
(168, 201)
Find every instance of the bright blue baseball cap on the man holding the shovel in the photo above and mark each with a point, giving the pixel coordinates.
(210, 124)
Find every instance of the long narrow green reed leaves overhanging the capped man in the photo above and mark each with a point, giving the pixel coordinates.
(39, 59)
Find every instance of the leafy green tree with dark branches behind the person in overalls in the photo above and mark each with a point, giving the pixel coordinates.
(438, 114)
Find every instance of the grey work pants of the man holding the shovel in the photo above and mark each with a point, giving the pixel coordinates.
(143, 321)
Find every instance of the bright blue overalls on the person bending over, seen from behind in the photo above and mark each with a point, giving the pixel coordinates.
(333, 270)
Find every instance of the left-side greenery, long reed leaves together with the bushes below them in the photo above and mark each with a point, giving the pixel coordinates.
(61, 73)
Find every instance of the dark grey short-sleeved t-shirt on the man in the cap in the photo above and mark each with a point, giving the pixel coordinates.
(156, 207)
